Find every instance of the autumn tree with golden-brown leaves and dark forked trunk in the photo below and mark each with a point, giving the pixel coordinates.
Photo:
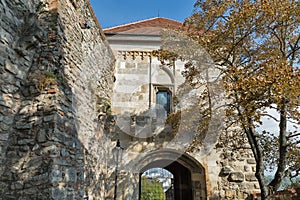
(256, 46)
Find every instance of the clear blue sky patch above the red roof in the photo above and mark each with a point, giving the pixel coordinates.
(116, 12)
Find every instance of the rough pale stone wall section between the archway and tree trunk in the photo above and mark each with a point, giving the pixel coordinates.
(231, 171)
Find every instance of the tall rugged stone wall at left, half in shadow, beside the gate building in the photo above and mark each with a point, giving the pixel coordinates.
(56, 78)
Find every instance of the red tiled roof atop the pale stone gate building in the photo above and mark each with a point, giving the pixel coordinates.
(147, 27)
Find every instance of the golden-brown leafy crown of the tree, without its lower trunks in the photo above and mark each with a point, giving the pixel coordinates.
(252, 41)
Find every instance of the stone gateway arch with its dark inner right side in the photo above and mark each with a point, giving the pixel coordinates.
(189, 174)
